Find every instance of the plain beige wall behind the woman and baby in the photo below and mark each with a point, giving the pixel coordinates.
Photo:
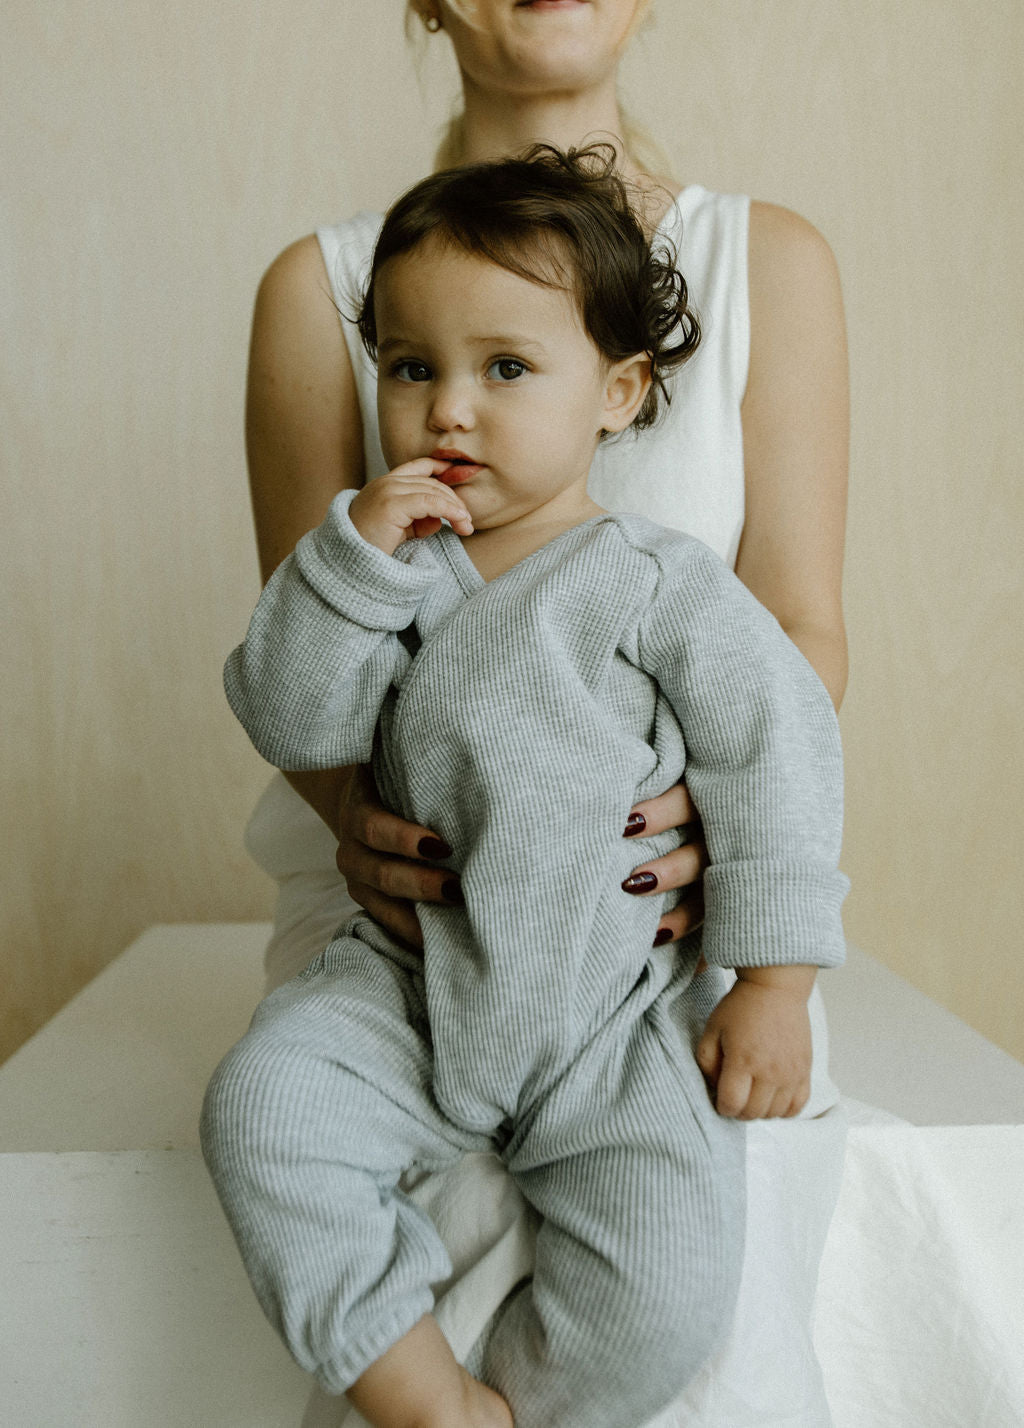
(158, 158)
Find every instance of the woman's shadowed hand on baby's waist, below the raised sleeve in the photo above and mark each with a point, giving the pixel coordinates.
(386, 862)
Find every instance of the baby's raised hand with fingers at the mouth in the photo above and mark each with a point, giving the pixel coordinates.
(408, 502)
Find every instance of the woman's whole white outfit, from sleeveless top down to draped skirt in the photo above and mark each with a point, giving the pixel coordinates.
(685, 473)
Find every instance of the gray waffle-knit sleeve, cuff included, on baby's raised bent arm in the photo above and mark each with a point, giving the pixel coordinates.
(322, 649)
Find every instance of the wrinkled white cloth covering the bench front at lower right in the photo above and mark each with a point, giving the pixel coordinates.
(920, 1316)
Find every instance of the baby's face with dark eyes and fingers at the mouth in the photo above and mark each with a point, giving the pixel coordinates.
(492, 372)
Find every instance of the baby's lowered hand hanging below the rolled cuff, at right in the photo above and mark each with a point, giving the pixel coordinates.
(756, 1050)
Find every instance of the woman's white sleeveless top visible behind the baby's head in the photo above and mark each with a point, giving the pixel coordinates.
(688, 471)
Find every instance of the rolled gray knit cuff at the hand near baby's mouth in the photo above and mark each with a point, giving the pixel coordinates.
(361, 582)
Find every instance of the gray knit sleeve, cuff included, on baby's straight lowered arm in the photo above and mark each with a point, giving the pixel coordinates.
(765, 766)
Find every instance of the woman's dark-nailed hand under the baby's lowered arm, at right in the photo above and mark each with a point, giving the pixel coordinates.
(681, 869)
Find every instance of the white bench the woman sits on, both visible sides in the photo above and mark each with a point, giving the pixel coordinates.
(125, 1304)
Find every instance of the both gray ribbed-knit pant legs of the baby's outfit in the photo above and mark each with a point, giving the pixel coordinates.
(312, 1120)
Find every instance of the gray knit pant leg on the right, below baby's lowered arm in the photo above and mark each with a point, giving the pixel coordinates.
(639, 1254)
